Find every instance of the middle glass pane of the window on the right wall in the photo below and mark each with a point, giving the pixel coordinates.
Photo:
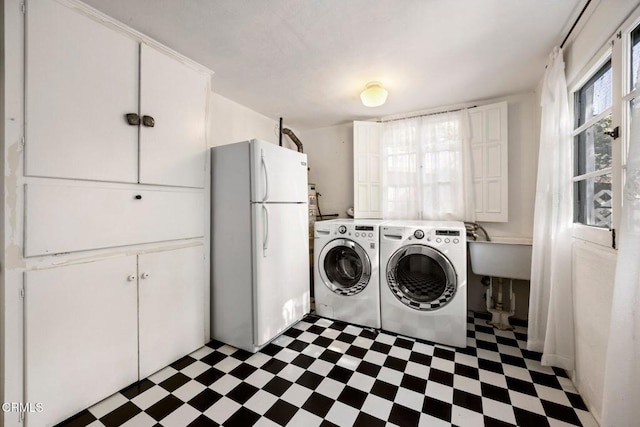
(592, 148)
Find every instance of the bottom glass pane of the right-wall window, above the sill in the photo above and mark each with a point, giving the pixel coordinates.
(592, 201)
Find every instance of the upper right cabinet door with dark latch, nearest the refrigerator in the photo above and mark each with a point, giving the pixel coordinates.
(172, 152)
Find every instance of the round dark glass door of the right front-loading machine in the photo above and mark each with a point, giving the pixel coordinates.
(421, 277)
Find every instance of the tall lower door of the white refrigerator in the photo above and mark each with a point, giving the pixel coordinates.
(281, 268)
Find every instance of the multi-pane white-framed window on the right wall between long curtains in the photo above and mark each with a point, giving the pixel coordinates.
(602, 104)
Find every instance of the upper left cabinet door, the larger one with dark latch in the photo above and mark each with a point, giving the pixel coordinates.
(82, 79)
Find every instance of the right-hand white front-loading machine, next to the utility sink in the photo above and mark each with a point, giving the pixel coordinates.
(423, 280)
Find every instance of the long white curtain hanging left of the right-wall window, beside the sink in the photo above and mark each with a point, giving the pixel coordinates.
(551, 299)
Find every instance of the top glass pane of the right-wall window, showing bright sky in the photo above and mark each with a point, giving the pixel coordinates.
(595, 96)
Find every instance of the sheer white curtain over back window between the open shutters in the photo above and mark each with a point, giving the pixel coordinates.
(426, 164)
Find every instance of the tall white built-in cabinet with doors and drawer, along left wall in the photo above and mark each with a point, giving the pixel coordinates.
(132, 194)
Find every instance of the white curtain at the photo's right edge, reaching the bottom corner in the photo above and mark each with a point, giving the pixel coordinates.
(621, 399)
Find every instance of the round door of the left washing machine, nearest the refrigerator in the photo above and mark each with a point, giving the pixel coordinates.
(344, 266)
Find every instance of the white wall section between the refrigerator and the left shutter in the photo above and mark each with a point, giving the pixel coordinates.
(330, 152)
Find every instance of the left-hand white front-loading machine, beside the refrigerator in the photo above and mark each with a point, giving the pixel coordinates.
(346, 271)
